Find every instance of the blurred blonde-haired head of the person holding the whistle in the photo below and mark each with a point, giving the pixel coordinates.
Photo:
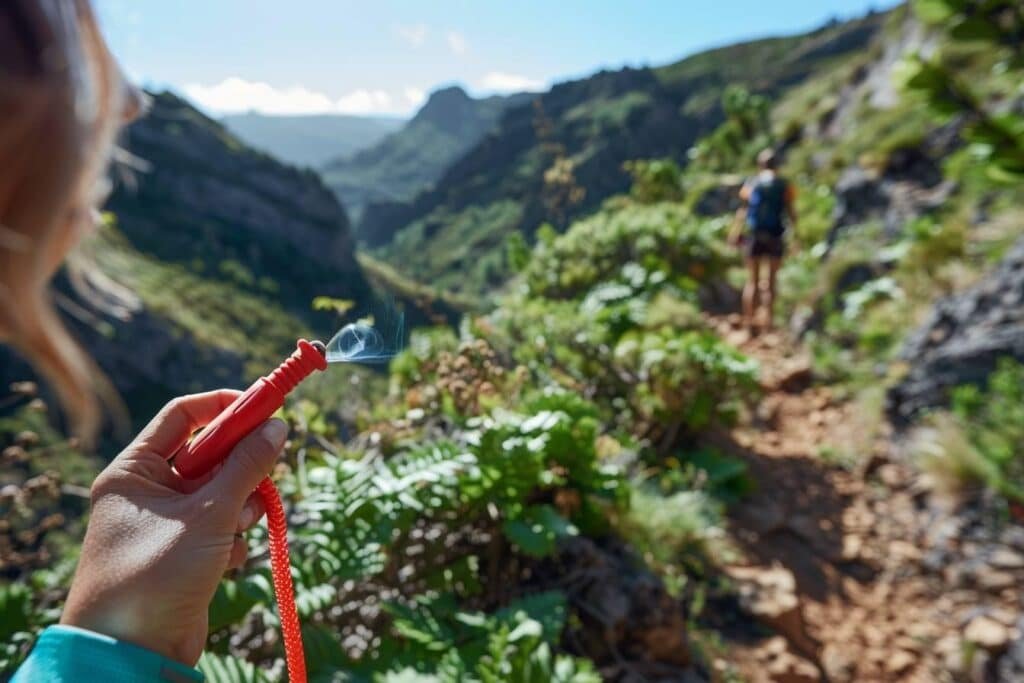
(63, 100)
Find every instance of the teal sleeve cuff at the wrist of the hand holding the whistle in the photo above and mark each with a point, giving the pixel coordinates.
(67, 654)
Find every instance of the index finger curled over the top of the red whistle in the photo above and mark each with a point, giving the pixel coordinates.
(169, 431)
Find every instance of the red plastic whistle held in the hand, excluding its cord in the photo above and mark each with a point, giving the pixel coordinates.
(249, 411)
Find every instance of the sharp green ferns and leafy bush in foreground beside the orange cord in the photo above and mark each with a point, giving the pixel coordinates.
(433, 530)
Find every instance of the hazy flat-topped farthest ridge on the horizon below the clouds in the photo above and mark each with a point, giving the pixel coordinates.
(311, 141)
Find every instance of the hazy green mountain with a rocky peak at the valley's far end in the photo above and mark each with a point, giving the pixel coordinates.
(414, 158)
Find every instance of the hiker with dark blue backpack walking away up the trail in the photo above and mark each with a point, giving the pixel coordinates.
(770, 202)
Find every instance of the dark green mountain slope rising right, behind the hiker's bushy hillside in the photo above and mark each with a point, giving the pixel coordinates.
(453, 235)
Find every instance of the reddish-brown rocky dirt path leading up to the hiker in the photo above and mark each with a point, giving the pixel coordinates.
(856, 570)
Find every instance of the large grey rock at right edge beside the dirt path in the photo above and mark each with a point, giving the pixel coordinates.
(962, 340)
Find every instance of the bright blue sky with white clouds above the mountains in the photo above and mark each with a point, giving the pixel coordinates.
(314, 57)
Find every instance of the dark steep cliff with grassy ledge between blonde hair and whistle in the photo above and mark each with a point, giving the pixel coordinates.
(205, 273)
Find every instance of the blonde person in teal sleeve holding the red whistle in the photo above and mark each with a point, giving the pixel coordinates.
(157, 545)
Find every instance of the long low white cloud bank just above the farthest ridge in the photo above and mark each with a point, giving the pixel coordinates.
(235, 96)
